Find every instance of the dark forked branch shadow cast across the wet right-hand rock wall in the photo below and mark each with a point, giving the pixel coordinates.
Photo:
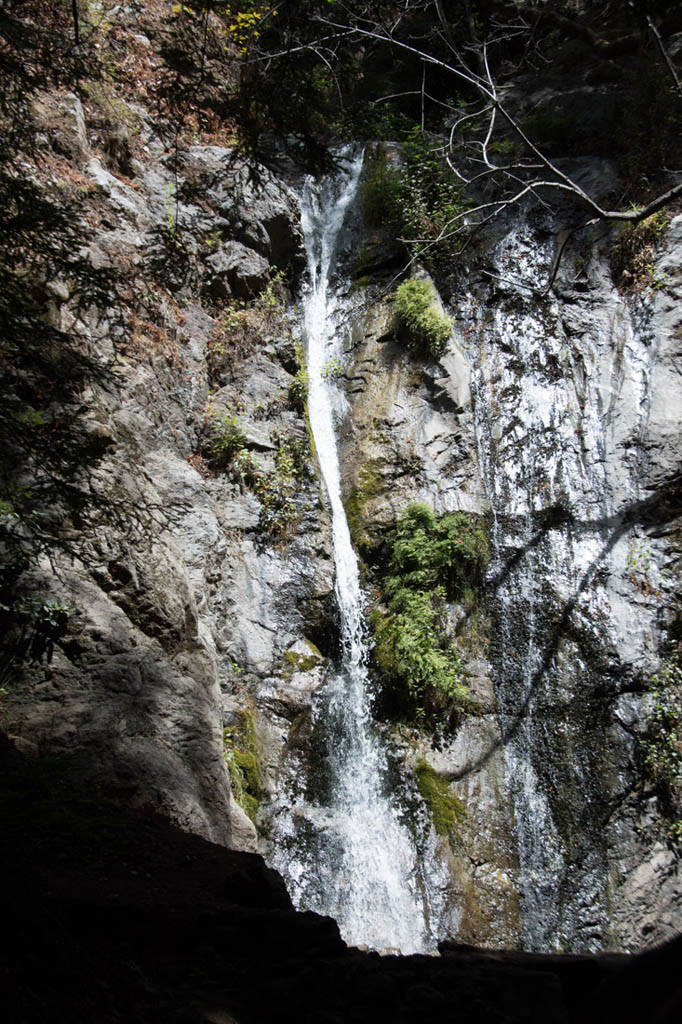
(664, 506)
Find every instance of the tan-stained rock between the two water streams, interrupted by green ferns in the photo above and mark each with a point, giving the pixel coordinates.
(410, 437)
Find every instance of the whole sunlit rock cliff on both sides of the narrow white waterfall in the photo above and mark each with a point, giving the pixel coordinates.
(207, 592)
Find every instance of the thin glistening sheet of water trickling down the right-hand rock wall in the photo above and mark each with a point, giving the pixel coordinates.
(543, 421)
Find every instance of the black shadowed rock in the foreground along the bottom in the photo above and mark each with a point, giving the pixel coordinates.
(112, 917)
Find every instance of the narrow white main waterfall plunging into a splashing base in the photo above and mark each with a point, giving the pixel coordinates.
(350, 857)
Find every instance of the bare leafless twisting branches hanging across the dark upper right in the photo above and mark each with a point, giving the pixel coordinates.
(470, 151)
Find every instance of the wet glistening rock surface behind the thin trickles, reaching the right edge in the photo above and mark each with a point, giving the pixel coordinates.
(564, 392)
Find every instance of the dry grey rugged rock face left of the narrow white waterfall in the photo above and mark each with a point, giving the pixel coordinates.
(181, 599)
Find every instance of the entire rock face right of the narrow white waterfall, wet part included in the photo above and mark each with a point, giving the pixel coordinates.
(575, 402)
